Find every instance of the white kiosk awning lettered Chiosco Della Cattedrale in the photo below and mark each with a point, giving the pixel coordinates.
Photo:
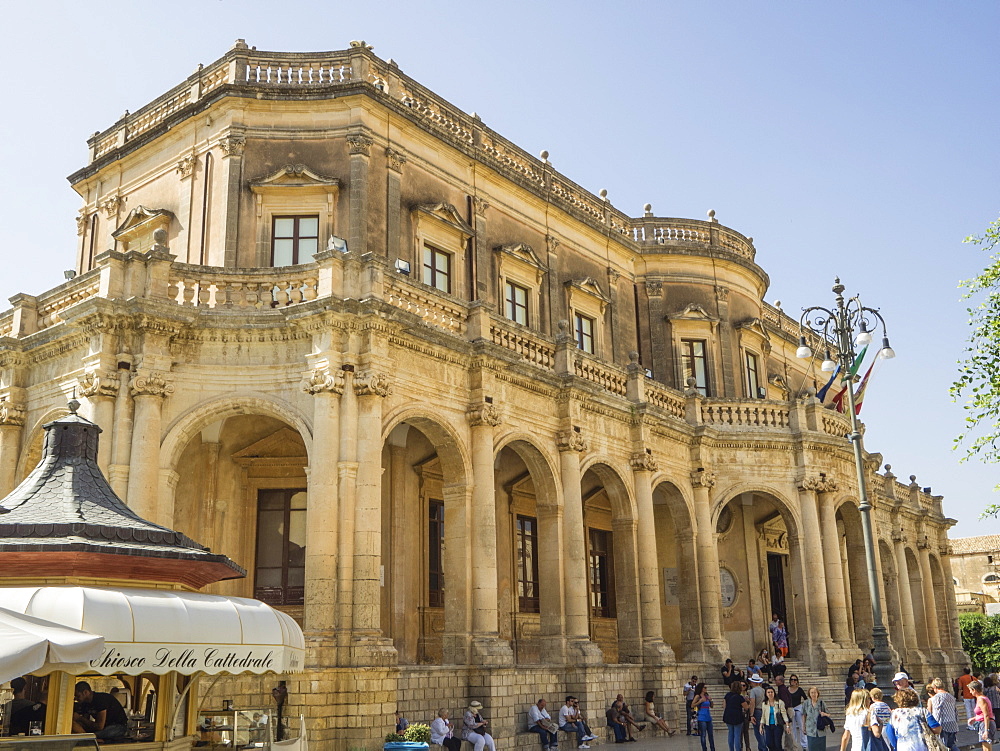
(159, 631)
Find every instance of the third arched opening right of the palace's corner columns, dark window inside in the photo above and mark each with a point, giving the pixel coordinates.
(610, 535)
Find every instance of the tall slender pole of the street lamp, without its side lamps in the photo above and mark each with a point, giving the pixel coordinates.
(884, 669)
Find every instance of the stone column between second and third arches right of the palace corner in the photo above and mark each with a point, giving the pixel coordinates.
(575, 559)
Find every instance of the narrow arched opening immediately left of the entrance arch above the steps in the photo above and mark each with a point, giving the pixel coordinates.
(680, 610)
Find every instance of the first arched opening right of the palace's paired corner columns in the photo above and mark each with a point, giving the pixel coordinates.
(425, 541)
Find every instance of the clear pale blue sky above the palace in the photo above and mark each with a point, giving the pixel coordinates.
(853, 138)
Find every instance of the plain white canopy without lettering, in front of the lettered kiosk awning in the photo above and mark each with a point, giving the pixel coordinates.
(33, 645)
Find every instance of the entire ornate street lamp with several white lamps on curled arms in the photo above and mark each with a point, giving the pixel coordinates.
(837, 328)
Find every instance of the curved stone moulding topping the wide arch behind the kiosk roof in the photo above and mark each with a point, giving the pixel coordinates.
(187, 424)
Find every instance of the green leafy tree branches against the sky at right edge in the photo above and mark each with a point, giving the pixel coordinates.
(979, 373)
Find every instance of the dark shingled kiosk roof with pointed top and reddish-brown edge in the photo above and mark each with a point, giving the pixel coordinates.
(66, 506)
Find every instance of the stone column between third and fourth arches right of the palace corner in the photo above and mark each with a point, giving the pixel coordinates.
(643, 466)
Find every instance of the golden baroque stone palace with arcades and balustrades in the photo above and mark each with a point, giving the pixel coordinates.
(487, 436)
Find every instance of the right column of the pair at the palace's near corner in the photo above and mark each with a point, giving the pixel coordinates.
(371, 388)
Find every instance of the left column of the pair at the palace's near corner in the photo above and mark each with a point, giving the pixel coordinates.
(326, 386)
